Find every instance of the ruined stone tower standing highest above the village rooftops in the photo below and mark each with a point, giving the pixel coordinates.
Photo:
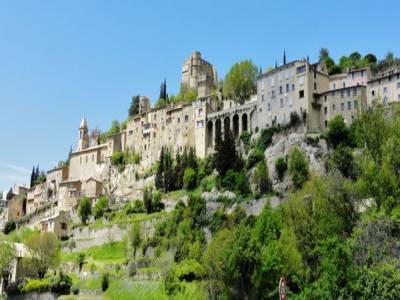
(198, 75)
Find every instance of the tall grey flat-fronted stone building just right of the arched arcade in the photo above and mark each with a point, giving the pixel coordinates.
(292, 87)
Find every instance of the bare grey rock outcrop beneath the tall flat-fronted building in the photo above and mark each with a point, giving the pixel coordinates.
(312, 147)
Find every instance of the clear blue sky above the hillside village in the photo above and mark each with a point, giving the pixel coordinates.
(60, 60)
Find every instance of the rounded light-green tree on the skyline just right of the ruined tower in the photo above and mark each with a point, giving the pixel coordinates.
(240, 81)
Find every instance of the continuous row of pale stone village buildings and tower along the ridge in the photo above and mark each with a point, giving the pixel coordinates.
(297, 86)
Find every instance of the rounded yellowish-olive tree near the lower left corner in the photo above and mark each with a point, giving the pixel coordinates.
(44, 249)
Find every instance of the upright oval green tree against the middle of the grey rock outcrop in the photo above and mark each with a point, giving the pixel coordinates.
(298, 168)
